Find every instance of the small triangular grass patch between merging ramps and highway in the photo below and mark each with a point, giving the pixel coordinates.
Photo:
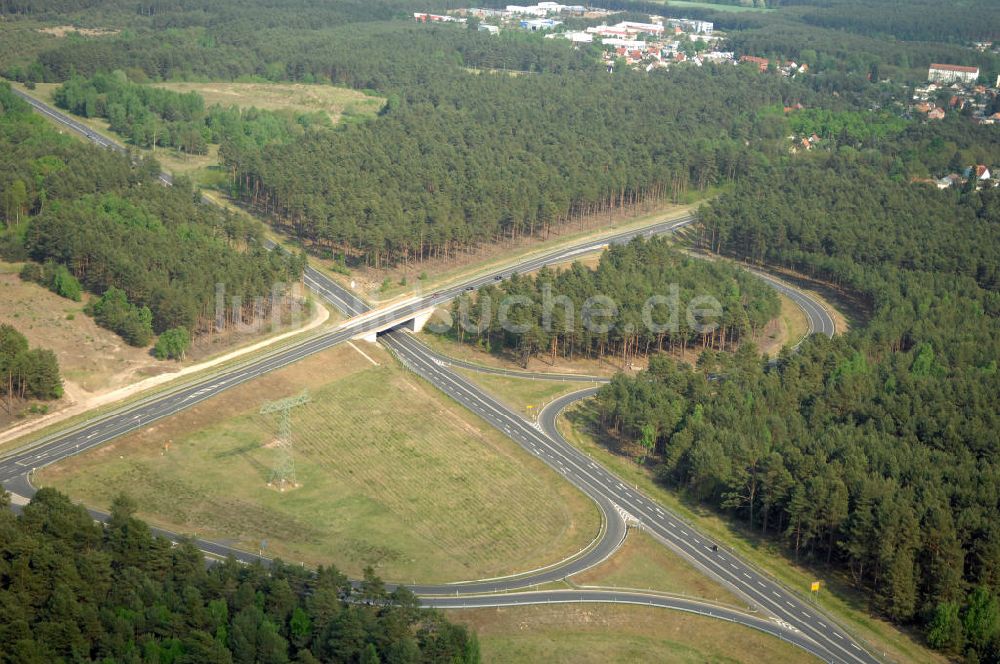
(644, 563)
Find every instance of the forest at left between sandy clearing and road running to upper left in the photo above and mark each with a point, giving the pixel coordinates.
(105, 219)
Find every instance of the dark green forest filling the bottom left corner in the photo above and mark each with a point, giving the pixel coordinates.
(75, 590)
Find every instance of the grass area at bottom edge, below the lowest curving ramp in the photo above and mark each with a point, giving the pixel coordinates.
(603, 634)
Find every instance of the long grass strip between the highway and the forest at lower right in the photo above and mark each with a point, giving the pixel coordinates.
(840, 600)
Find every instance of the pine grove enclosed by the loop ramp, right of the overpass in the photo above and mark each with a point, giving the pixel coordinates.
(645, 287)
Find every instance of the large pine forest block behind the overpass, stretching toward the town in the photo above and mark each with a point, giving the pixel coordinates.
(461, 160)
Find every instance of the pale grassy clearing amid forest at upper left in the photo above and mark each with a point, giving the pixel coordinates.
(336, 102)
